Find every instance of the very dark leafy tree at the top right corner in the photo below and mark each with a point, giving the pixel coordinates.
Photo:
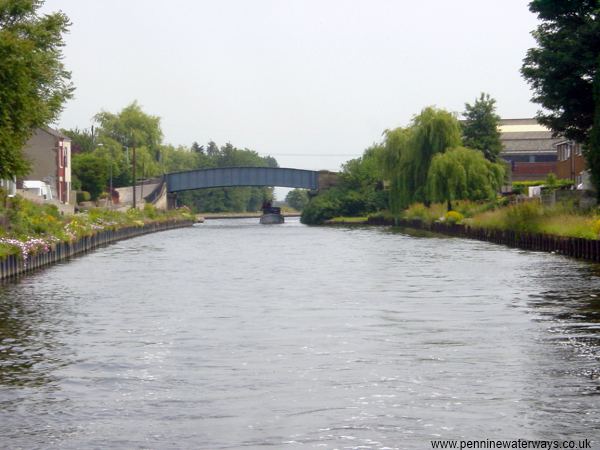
(563, 71)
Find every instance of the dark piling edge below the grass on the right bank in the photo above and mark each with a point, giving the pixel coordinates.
(569, 246)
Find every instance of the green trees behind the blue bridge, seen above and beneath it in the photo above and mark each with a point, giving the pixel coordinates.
(104, 156)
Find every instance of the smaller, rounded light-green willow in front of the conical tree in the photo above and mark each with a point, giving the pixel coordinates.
(463, 174)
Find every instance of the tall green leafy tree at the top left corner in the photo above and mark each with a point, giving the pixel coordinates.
(33, 81)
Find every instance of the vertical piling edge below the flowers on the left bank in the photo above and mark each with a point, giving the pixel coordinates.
(13, 265)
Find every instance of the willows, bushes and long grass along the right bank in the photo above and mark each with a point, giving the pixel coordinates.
(423, 172)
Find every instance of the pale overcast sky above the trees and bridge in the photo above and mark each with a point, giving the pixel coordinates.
(300, 80)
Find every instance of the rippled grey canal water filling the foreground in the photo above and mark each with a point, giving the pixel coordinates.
(234, 335)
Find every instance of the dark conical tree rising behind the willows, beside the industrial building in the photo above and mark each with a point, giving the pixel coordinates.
(480, 127)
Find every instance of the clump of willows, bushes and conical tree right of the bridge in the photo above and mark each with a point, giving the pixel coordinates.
(435, 158)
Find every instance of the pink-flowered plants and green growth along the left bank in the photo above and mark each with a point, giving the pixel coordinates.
(28, 227)
